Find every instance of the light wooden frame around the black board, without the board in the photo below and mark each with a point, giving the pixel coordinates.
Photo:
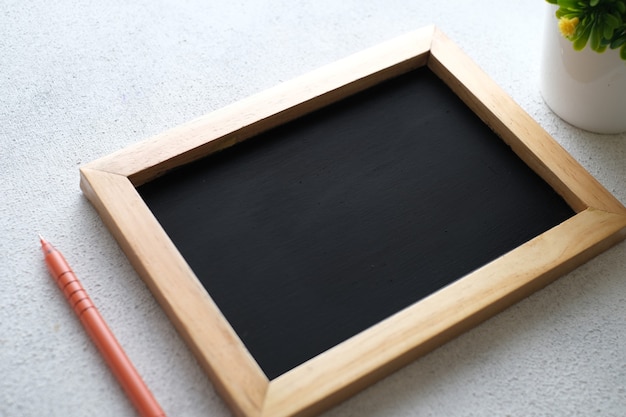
(110, 184)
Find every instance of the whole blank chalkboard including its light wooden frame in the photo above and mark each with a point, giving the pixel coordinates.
(313, 238)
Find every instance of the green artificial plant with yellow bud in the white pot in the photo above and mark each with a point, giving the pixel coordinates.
(599, 23)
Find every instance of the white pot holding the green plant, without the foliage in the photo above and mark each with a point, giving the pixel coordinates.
(584, 88)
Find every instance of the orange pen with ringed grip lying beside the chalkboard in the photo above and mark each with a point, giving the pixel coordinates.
(109, 347)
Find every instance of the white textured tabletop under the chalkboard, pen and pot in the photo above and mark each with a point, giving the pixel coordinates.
(79, 80)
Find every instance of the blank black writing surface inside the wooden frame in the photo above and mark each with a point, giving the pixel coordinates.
(316, 230)
